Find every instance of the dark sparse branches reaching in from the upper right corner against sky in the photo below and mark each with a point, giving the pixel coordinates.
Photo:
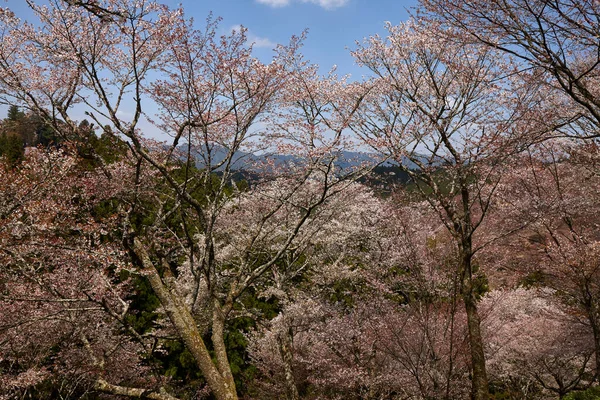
(555, 43)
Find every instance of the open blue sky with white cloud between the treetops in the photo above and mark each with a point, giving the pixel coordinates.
(333, 25)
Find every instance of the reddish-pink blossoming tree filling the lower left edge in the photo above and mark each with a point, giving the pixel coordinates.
(63, 303)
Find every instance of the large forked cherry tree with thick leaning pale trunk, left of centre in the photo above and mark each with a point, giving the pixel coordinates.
(119, 61)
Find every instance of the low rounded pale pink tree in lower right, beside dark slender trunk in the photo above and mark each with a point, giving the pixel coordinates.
(533, 340)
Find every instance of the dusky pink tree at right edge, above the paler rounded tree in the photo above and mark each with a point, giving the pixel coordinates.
(554, 188)
